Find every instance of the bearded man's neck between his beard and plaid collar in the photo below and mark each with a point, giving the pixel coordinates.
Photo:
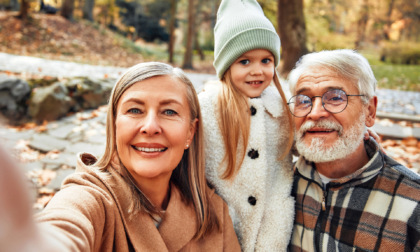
(346, 166)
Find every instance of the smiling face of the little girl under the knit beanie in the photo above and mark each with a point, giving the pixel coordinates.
(253, 71)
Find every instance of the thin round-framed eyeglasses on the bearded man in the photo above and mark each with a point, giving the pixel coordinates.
(333, 101)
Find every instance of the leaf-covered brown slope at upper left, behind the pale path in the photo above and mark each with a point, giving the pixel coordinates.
(53, 37)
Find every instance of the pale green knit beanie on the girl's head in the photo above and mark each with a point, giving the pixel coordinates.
(241, 26)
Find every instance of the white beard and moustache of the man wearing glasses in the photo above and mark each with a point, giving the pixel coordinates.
(346, 143)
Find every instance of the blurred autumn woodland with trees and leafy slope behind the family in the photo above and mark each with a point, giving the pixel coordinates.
(180, 32)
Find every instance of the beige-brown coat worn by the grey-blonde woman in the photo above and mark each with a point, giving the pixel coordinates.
(90, 213)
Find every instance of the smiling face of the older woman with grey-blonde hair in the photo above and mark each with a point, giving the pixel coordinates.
(153, 128)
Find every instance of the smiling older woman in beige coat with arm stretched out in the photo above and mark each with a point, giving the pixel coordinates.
(148, 191)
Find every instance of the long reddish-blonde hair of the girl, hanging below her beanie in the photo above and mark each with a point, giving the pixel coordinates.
(234, 123)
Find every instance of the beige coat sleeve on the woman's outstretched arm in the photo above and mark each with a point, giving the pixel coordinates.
(75, 217)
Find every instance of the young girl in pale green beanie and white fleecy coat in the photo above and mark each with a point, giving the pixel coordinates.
(248, 128)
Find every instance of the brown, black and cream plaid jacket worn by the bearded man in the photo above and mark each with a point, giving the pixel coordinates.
(374, 209)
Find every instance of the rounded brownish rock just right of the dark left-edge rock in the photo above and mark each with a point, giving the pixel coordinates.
(50, 103)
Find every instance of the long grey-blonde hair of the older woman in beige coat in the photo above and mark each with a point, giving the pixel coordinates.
(189, 175)
